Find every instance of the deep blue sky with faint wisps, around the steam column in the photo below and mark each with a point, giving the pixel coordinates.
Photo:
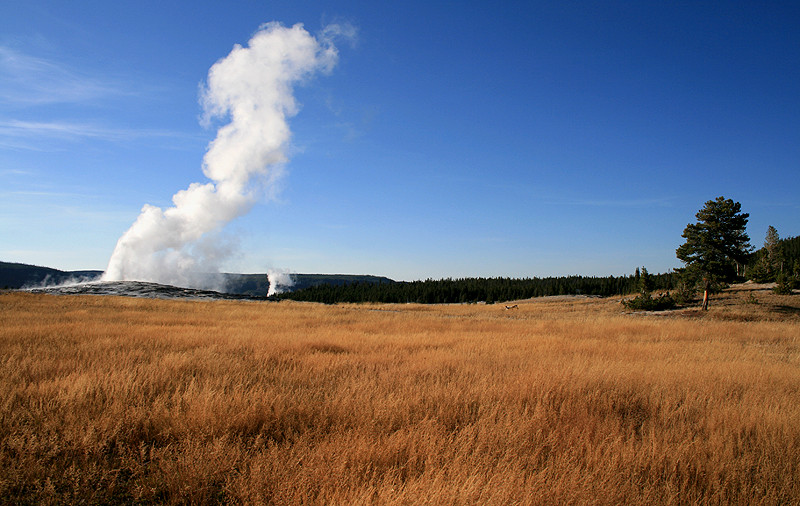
(451, 139)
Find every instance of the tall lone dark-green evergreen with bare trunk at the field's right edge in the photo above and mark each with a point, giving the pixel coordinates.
(717, 245)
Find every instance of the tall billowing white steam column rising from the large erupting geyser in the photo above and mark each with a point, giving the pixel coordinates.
(253, 86)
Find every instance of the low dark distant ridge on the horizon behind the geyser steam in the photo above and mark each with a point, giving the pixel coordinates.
(17, 275)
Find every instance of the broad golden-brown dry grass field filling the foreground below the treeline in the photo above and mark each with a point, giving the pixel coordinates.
(561, 401)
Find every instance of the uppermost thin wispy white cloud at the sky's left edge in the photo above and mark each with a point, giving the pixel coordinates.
(29, 80)
